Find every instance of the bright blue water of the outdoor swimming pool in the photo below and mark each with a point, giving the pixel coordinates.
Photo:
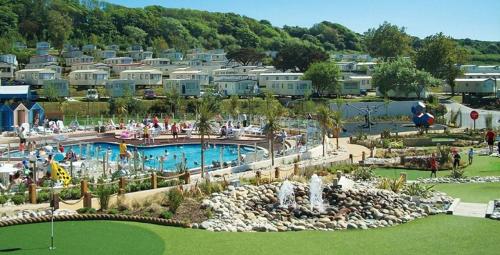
(173, 153)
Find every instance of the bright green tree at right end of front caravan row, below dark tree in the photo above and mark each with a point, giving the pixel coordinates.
(325, 76)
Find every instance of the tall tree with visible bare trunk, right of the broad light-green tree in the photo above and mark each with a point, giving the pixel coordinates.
(441, 56)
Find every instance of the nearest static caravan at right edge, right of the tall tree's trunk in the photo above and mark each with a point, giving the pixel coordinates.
(481, 86)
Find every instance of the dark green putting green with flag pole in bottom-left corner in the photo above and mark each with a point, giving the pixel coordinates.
(77, 237)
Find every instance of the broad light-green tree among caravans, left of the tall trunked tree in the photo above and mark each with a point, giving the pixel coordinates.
(401, 76)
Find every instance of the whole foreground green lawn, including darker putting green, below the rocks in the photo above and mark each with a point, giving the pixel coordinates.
(433, 235)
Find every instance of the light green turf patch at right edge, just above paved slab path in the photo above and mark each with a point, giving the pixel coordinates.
(472, 192)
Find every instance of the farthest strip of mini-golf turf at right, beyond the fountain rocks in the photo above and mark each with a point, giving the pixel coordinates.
(481, 166)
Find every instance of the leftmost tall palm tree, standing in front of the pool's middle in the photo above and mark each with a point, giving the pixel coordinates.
(207, 109)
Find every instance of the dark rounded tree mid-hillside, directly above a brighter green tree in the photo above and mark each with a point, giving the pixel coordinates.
(298, 56)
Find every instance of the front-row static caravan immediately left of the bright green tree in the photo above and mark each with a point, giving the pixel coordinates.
(295, 88)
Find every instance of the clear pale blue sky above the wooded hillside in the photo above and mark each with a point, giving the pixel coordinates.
(479, 19)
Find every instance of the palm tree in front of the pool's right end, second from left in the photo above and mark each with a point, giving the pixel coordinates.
(273, 110)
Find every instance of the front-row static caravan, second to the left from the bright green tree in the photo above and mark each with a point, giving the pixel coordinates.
(237, 87)
